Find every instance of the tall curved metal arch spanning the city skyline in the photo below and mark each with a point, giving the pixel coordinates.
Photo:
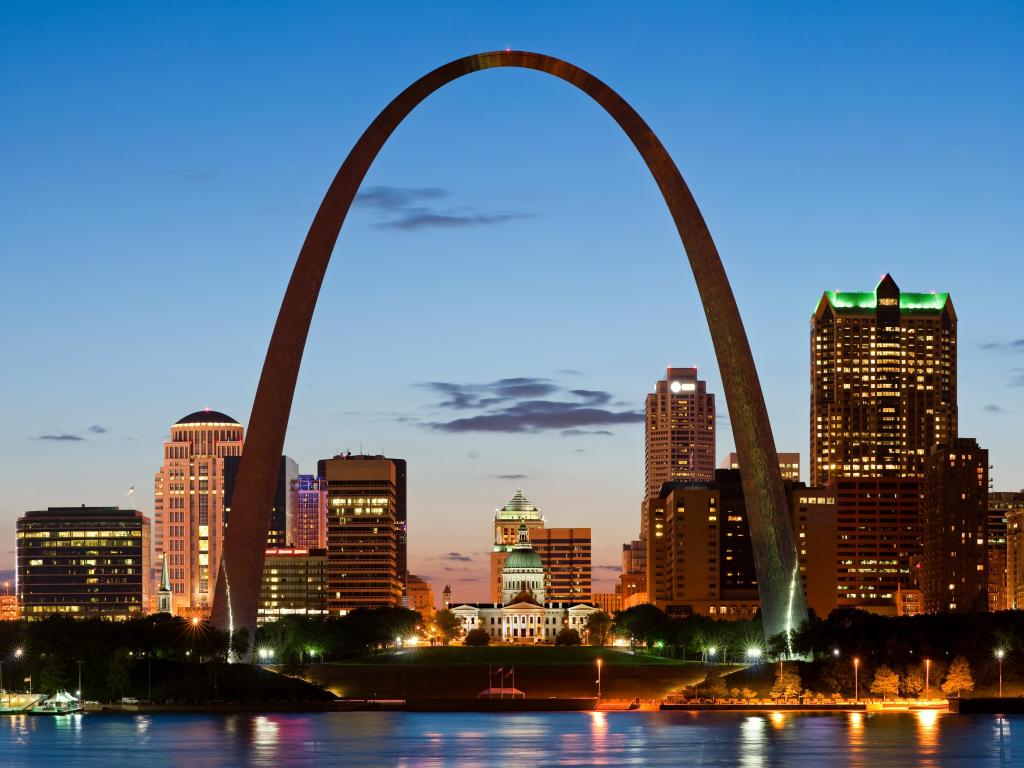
(783, 603)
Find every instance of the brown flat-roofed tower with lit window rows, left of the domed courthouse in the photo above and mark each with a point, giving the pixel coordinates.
(362, 532)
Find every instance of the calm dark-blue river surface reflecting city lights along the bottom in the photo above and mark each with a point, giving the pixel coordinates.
(514, 740)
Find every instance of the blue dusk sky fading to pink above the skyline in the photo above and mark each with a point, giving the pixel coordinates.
(160, 164)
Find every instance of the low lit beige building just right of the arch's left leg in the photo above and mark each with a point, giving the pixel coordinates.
(294, 584)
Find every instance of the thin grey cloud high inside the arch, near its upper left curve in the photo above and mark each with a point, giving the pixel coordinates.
(410, 208)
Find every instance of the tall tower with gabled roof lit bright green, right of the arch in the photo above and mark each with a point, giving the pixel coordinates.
(883, 382)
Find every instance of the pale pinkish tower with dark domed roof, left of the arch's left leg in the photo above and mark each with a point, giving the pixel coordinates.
(189, 503)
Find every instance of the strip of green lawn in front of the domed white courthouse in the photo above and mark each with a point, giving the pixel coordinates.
(522, 655)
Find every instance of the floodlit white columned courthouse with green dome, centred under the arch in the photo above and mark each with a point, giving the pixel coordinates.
(524, 617)
